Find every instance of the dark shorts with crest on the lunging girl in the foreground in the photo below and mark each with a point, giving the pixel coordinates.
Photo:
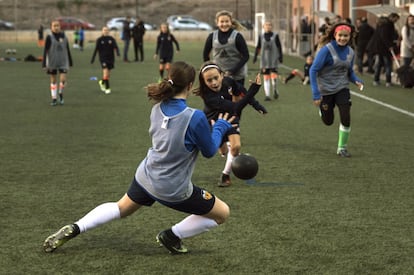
(199, 203)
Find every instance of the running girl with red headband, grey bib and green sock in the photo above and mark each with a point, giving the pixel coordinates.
(330, 74)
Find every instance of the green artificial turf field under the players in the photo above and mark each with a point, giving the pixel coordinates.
(307, 212)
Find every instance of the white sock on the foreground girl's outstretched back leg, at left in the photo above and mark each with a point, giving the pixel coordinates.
(101, 214)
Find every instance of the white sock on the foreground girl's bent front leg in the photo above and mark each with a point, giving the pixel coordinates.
(193, 225)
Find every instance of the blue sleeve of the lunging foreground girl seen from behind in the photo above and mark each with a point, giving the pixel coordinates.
(199, 134)
